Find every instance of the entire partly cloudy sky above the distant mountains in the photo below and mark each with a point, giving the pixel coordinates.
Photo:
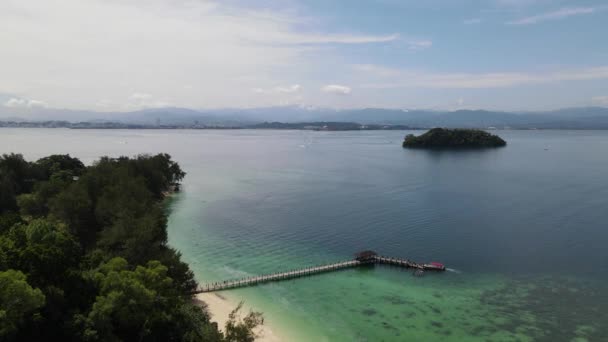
(122, 55)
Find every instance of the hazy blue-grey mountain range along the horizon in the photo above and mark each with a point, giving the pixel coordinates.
(576, 118)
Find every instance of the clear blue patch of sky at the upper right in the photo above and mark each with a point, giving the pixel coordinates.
(475, 36)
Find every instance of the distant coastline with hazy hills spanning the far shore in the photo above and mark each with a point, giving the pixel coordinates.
(298, 117)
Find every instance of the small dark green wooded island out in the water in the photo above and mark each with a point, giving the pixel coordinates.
(453, 138)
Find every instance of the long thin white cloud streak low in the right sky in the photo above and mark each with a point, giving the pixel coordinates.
(398, 78)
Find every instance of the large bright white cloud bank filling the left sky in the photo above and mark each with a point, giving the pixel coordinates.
(104, 49)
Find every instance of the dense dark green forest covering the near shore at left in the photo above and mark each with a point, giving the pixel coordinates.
(84, 255)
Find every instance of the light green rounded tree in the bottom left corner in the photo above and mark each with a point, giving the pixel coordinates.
(18, 302)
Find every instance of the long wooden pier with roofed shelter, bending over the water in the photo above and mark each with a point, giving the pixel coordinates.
(362, 258)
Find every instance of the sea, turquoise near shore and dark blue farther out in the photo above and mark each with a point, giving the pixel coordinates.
(523, 227)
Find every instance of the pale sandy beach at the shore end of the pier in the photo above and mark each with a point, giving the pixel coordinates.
(220, 307)
